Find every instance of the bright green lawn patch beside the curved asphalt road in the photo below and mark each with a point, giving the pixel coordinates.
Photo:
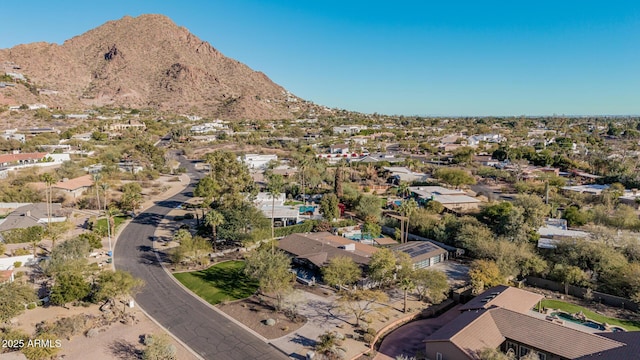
(221, 282)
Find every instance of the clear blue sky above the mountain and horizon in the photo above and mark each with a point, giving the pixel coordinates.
(424, 57)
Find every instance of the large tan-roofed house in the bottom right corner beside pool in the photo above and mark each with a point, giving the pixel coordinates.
(501, 318)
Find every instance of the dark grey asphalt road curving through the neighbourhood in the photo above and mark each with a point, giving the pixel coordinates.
(208, 333)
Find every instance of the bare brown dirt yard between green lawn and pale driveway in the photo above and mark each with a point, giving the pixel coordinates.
(253, 313)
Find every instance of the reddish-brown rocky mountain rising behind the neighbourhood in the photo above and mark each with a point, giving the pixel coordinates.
(143, 62)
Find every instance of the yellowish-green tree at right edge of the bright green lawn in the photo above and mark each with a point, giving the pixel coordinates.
(271, 269)
